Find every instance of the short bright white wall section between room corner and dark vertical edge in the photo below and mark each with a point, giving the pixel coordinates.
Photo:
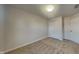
(55, 28)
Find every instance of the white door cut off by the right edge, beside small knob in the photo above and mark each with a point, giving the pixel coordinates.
(75, 28)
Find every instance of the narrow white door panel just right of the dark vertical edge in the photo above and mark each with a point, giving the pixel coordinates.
(67, 28)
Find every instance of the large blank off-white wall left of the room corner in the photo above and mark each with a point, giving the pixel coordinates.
(24, 28)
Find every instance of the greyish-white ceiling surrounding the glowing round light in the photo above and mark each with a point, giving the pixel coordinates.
(38, 9)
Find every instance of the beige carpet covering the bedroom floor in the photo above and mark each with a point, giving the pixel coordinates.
(49, 46)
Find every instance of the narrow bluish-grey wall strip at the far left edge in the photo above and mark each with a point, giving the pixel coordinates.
(2, 20)
